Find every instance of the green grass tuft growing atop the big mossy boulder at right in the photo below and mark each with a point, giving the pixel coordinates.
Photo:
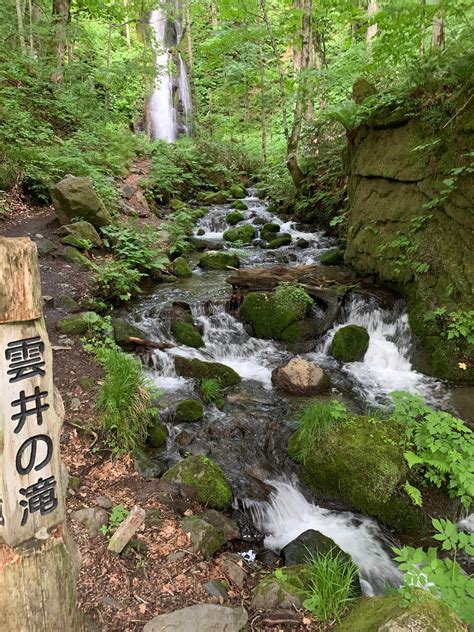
(314, 420)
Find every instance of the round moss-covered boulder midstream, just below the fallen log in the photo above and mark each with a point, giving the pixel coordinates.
(268, 316)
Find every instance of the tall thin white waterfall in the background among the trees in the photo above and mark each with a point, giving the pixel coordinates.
(170, 104)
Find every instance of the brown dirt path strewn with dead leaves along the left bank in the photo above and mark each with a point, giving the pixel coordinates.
(160, 573)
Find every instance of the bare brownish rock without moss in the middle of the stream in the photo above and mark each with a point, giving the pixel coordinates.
(300, 377)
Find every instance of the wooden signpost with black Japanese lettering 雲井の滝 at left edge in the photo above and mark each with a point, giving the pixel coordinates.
(38, 560)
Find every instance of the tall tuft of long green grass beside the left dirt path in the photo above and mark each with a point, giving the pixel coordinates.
(124, 401)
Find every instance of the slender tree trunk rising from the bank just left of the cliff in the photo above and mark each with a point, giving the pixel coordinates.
(301, 97)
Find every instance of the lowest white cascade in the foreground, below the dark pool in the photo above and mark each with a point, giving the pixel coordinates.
(287, 514)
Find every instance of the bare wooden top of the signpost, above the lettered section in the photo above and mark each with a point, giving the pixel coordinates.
(20, 284)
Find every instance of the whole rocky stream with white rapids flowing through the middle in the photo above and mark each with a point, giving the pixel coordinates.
(248, 437)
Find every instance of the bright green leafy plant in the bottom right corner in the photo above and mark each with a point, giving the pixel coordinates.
(442, 577)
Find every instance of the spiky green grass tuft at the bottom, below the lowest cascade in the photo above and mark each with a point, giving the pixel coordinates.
(332, 582)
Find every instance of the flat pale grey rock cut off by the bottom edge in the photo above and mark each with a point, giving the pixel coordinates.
(200, 618)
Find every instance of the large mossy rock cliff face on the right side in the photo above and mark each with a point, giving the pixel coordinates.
(411, 192)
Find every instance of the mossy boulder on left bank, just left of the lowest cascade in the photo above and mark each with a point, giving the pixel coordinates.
(206, 477)
